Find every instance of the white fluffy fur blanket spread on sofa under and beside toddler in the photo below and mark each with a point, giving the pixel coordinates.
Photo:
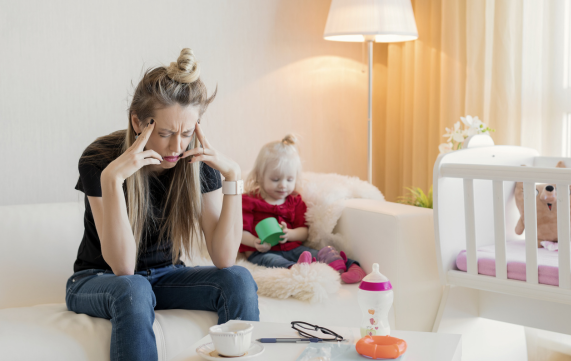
(325, 196)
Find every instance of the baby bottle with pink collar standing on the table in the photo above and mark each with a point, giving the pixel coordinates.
(375, 299)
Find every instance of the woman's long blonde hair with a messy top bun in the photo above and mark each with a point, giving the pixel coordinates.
(161, 87)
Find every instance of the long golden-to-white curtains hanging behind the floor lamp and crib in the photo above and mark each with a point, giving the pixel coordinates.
(485, 58)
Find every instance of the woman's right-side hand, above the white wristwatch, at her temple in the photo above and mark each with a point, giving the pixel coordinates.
(226, 166)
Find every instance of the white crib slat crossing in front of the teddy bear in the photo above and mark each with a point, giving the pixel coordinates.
(531, 271)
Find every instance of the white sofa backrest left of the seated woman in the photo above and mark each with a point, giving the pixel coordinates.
(40, 243)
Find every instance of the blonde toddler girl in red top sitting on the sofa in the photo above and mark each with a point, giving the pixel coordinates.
(271, 192)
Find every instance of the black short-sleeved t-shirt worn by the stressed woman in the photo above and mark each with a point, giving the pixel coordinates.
(151, 254)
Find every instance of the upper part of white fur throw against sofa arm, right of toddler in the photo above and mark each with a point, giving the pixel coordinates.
(325, 195)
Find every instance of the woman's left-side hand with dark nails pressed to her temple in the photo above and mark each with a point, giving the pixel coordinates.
(134, 158)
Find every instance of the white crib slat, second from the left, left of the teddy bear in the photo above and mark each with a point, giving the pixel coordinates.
(500, 230)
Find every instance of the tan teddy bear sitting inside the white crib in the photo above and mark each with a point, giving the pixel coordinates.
(546, 205)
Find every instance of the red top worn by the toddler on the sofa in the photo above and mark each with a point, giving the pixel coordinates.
(255, 209)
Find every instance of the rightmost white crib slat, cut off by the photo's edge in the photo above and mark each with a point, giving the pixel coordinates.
(563, 236)
